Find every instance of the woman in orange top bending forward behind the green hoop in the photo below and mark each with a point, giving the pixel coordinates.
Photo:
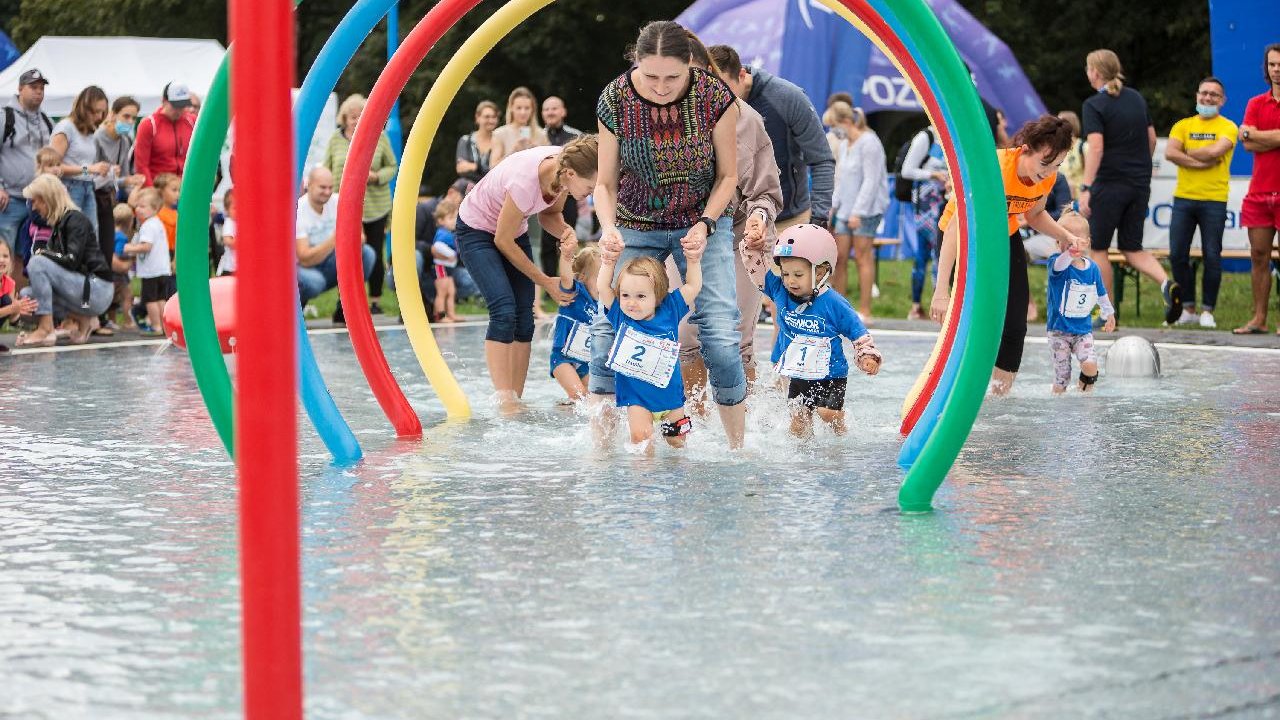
(1030, 170)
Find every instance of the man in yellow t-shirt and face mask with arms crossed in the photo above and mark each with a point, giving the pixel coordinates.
(1201, 147)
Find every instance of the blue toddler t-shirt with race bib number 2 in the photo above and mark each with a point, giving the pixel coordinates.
(664, 326)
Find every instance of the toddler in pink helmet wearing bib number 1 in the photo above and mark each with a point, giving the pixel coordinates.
(812, 321)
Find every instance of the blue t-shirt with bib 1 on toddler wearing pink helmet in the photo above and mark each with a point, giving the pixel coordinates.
(819, 353)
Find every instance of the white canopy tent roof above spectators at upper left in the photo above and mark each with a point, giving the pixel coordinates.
(121, 66)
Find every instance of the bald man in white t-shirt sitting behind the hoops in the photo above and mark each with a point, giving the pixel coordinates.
(316, 239)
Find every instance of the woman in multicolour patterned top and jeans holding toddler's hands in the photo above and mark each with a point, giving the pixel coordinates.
(669, 171)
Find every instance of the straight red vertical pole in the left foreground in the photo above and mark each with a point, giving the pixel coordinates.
(267, 403)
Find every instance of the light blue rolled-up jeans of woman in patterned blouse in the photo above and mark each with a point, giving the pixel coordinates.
(716, 309)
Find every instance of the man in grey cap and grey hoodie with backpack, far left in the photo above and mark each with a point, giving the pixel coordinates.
(26, 130)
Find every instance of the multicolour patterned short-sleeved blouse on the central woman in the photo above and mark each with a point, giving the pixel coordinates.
(668, 161)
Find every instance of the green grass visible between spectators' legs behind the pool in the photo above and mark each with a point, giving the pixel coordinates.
(1233, 311)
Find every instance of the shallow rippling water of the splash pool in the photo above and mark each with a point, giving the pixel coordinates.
(1094, 557)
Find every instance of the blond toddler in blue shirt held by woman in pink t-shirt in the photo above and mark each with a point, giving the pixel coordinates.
(572, 348)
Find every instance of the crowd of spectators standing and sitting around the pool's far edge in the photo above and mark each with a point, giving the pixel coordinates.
(122, 177)
